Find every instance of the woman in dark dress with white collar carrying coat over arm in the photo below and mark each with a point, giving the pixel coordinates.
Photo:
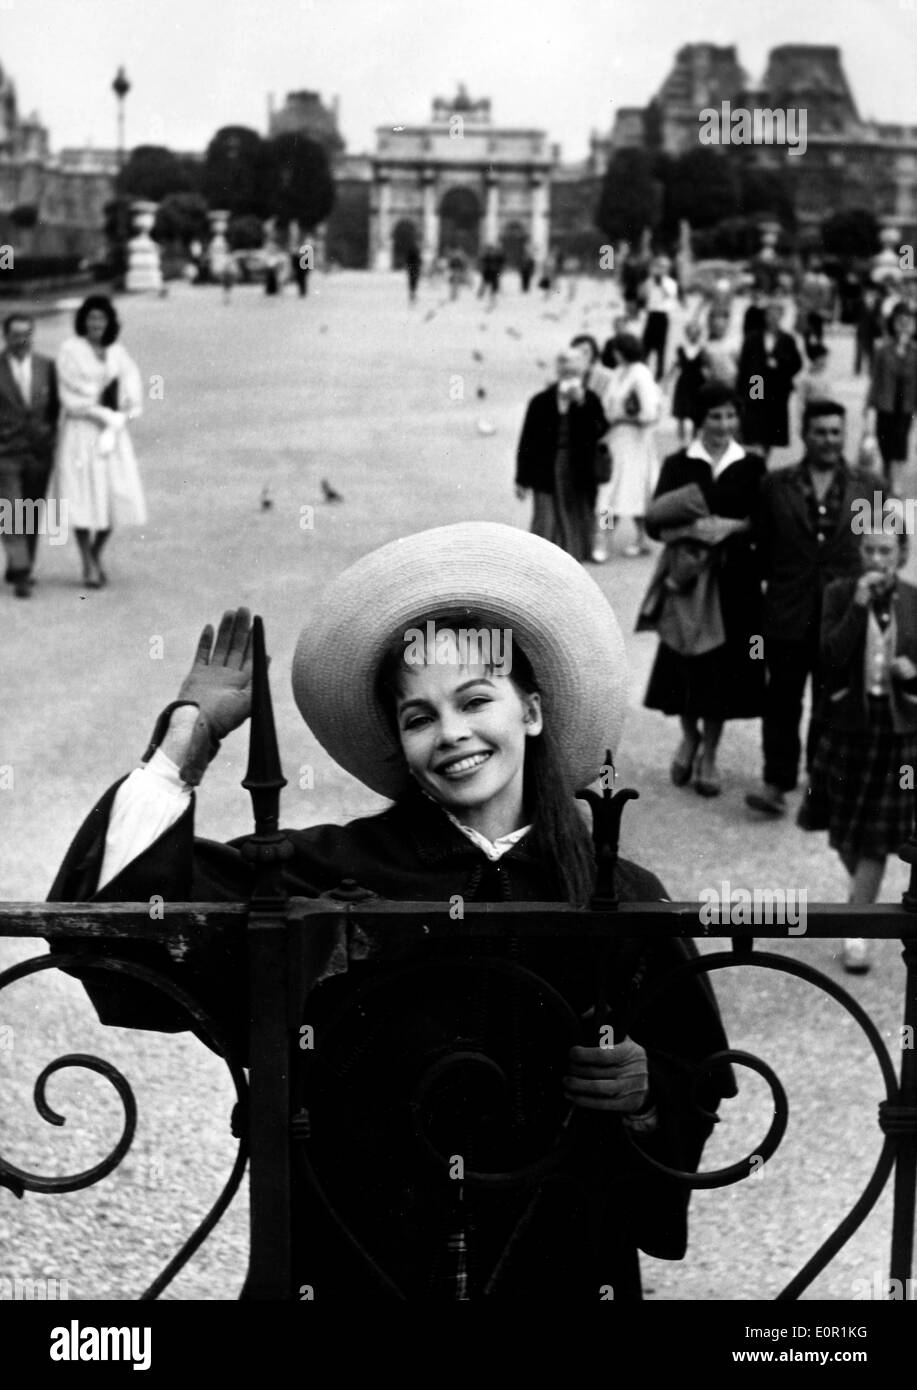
(722, 679)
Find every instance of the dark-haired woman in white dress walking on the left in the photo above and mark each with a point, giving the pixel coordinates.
(98, 477)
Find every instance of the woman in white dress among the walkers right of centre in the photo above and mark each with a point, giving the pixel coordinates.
(631, 405)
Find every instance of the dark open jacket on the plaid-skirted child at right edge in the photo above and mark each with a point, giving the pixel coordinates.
(844, 651)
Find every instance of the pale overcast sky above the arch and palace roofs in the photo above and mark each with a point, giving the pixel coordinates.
(566, 66)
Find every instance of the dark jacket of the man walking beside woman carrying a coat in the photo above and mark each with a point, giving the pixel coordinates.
(797, 568)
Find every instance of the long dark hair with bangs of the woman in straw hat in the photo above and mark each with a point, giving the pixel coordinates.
(559, 836)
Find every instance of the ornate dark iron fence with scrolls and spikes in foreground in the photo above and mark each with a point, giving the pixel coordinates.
(291, 942)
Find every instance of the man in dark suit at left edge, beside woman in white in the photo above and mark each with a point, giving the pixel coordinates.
(28, 429)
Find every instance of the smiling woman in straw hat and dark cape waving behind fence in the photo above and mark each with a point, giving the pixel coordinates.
(481, 753)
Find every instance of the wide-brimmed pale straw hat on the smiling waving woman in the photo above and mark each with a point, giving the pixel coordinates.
(505, 578)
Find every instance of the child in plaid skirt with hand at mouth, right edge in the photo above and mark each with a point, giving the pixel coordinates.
(869, 646)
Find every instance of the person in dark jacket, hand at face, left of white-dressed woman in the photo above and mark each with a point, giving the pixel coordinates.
(556, 459)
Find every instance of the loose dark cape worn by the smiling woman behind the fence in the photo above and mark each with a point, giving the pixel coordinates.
(556, 1238)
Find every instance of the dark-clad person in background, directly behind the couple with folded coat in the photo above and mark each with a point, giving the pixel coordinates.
(768, 366)
